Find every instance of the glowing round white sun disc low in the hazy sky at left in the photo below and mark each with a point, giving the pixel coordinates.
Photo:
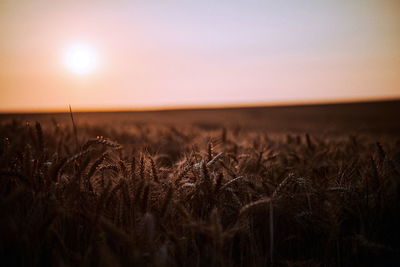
(80, 58)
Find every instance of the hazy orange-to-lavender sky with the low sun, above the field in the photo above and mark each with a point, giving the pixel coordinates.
(167, 54)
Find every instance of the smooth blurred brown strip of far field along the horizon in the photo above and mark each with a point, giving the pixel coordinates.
(369, 117)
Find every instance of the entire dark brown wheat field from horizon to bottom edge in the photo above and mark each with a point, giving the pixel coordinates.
(268, 186)
